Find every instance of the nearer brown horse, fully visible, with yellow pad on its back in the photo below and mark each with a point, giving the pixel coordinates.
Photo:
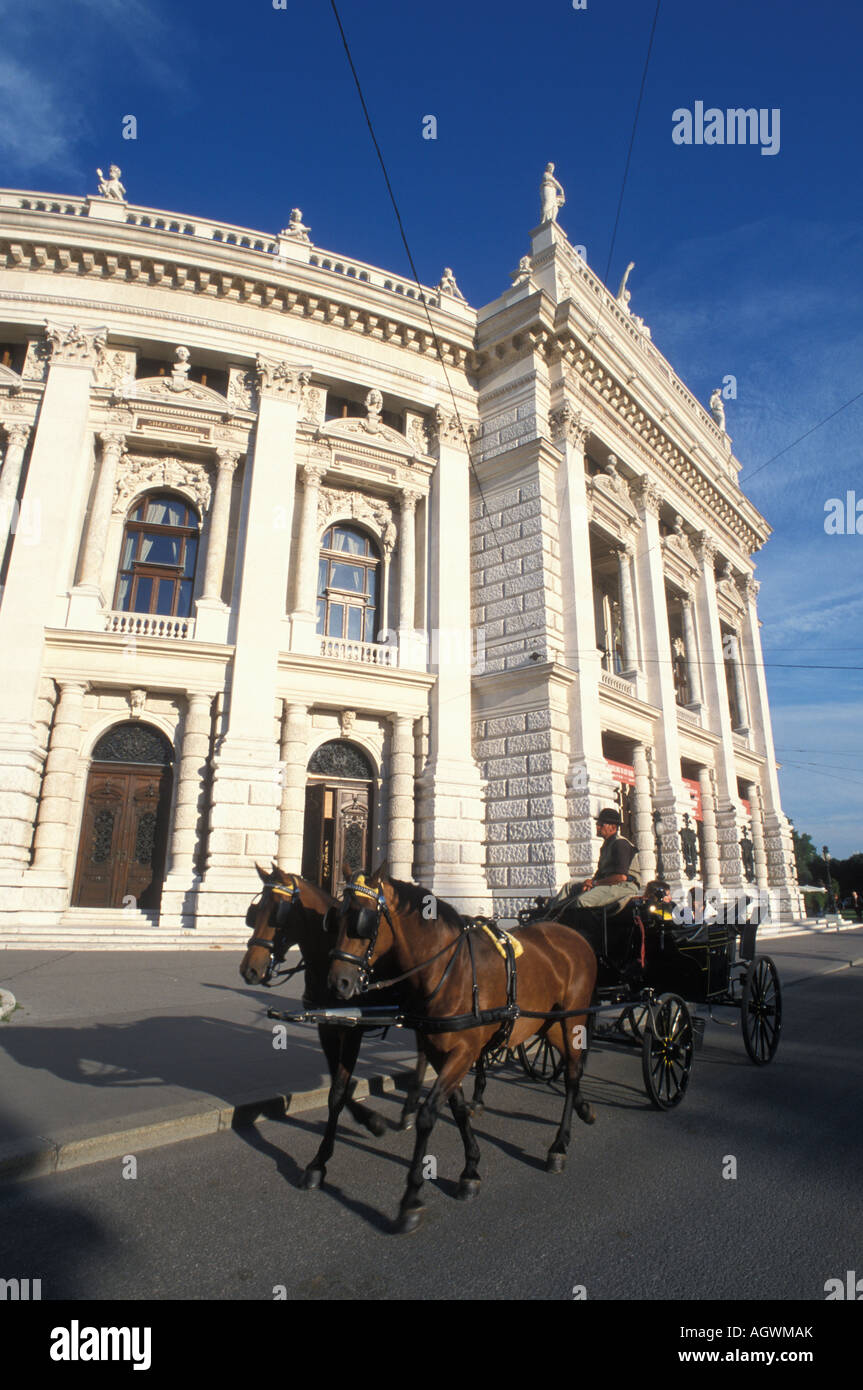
(451, 970)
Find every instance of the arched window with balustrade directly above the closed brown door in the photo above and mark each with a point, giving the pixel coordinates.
(159, 557)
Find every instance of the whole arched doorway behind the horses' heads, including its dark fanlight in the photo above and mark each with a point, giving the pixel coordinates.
(338, 814)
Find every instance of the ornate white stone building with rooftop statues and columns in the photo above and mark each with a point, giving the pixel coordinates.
(302, 562)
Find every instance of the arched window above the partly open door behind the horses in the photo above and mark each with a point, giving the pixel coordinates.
(348, 584)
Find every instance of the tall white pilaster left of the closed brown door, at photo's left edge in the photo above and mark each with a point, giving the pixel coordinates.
(35, 578)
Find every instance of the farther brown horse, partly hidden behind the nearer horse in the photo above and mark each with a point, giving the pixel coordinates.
(291, 913)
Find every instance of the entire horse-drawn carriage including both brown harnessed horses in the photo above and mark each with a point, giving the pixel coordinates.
(472, 992)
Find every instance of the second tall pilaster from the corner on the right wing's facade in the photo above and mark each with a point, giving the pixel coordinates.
(671, 799)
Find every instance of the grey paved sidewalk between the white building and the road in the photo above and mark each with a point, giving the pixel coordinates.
(113, 1053)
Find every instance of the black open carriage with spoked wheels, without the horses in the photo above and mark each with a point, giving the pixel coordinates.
(651, 971)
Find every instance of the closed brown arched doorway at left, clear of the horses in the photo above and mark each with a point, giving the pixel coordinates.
(124, 832)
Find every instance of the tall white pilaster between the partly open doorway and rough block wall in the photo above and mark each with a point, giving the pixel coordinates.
(451, 797)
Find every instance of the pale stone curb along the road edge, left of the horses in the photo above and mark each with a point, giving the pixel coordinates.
(40, 1156)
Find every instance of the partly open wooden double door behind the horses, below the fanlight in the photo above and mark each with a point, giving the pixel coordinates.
(337, 829)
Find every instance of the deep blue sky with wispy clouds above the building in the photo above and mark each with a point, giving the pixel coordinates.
(746, 263)
